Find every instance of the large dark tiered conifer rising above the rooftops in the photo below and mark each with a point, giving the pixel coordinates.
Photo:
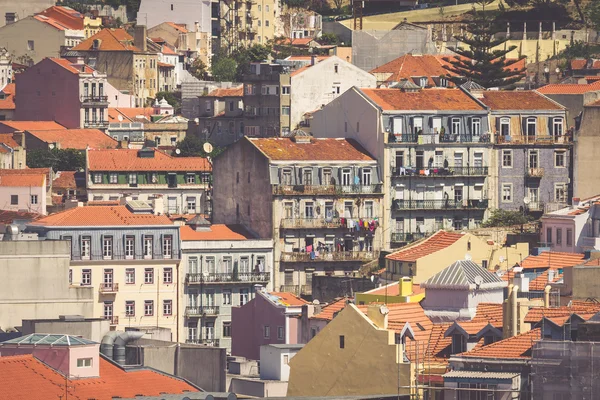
(483, 61)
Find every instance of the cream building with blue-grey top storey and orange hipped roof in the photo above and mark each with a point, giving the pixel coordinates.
(129, 256)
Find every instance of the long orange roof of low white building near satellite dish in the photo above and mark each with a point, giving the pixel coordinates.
(128, 160)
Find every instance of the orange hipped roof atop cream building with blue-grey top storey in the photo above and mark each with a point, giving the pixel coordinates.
(101, 216)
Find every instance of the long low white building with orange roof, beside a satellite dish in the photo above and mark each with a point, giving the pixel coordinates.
(182, 185)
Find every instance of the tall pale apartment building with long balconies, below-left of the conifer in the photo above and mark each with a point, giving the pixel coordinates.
(434, 149)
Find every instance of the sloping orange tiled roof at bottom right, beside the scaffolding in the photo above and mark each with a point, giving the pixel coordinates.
(514, 347)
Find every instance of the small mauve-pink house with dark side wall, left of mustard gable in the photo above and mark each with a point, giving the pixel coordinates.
(269, 318)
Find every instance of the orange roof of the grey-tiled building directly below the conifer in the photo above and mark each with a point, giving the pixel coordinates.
(518, 100)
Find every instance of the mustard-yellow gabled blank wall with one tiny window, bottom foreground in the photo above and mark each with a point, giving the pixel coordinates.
(339, 361)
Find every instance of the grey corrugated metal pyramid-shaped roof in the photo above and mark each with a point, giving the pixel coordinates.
(463, 274)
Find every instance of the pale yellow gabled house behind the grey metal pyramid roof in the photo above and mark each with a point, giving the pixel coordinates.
(426, 258)
